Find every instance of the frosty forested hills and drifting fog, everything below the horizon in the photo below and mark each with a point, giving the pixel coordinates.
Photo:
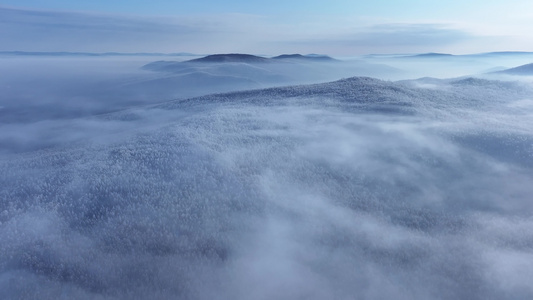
(261, 177)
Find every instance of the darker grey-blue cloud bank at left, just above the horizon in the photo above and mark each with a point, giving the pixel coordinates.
(60, 31)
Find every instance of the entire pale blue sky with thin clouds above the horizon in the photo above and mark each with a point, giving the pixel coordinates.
(339, 27)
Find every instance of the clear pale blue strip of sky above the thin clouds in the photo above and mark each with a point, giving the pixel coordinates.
(380, 8)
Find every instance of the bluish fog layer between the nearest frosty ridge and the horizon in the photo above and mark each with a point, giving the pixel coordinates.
(36, 88)
